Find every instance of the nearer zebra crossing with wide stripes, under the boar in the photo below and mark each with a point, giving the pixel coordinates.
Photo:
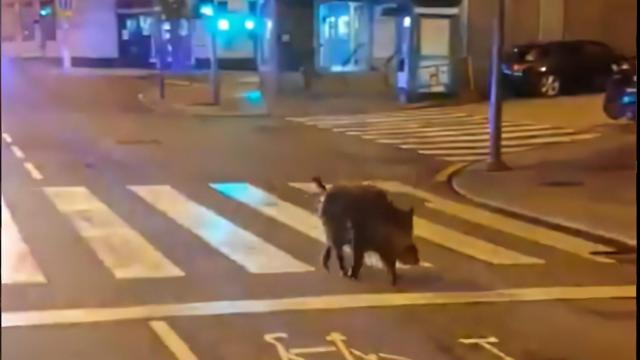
(127, 254)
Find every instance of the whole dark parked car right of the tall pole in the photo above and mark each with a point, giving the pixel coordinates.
(559, 67)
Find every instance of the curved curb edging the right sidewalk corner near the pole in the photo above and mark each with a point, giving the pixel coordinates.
(525, 214)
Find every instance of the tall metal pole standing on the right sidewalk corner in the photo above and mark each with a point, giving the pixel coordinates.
(495, 105)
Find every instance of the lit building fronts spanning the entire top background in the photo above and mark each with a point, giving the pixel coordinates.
(333, 45)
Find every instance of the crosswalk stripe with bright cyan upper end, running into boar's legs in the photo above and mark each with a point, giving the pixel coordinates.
(284, 212)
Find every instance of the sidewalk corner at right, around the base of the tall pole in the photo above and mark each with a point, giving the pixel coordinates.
(589, 186)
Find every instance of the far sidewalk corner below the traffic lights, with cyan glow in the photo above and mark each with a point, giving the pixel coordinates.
(192, 95)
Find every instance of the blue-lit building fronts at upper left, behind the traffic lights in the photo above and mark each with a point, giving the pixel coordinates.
(108, 33)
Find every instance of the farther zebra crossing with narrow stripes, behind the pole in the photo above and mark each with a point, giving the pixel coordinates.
(447, 134)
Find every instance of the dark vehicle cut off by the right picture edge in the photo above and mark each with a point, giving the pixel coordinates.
(620, 98)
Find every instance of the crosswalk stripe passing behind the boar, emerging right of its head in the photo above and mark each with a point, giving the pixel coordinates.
(459, 242)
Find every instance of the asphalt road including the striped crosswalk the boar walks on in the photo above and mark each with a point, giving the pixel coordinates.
(129, 234)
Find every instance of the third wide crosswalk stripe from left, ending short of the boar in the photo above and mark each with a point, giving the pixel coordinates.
(249, 251)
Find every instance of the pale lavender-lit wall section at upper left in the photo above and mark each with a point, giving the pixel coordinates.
(94, 30)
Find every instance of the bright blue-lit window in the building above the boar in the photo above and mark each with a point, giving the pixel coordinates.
(343, 36)
